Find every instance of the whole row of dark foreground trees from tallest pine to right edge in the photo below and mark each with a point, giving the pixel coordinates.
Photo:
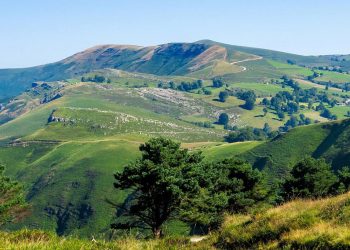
(168, 182)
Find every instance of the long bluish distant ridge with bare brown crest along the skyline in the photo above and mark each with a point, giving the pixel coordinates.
(204, 59)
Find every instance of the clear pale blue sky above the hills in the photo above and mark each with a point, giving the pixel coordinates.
(41, 31)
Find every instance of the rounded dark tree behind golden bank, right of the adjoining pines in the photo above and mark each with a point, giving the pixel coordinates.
(309, 178)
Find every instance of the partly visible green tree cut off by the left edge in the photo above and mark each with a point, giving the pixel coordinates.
(12, 203)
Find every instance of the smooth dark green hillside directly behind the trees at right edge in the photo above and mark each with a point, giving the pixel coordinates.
(328, 140)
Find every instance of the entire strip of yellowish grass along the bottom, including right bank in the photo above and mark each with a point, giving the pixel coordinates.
(300, 224)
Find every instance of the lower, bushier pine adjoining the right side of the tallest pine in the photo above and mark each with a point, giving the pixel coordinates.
(230, 185)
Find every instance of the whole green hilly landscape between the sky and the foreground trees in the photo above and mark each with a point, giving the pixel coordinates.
(67, 127)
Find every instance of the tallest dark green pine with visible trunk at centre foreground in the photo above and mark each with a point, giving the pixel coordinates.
(160, 181)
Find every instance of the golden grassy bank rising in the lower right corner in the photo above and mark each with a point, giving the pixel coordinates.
(300, 224)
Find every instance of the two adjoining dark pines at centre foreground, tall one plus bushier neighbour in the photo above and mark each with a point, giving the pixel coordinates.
(168, 182)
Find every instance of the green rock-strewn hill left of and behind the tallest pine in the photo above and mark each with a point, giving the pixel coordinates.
(67, 168)
